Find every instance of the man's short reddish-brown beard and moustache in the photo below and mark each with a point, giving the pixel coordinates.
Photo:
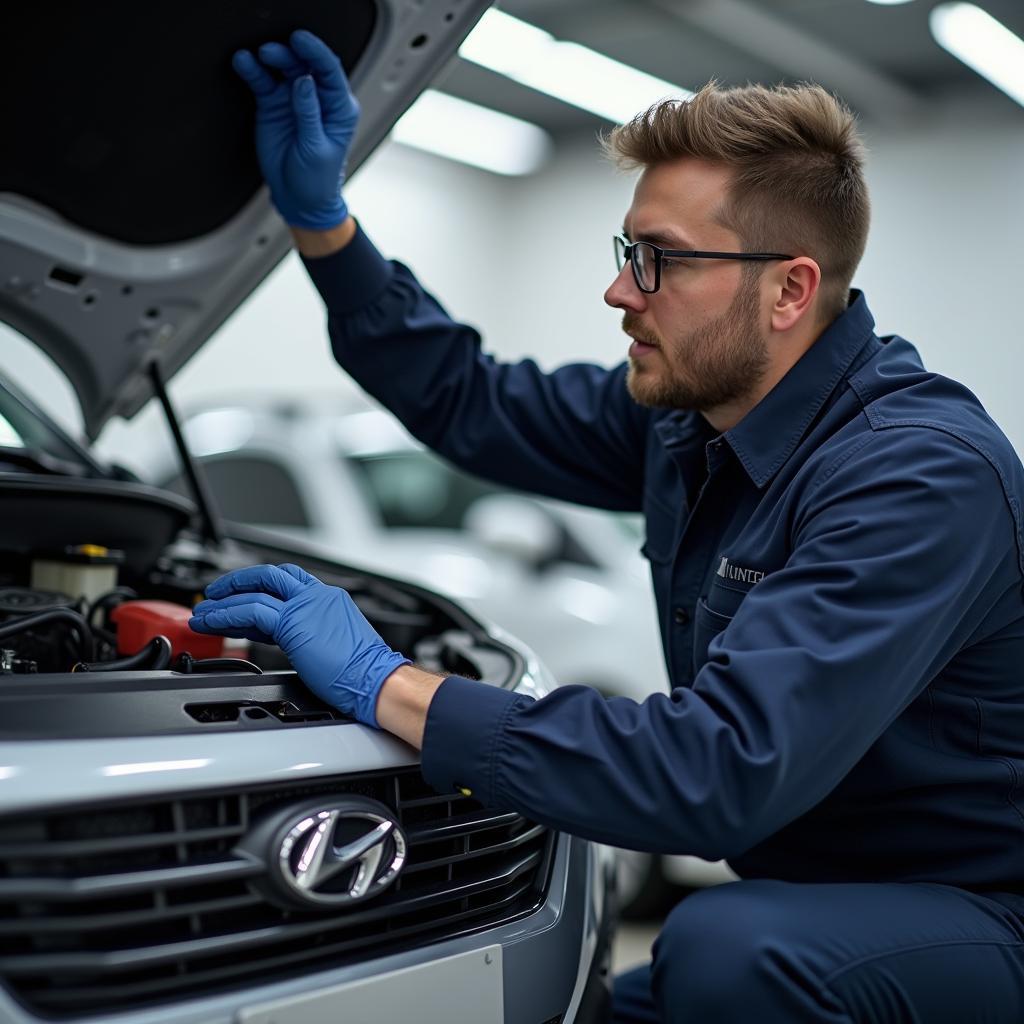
(722, 361)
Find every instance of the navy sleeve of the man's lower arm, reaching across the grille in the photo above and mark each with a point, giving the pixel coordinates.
(898, 559)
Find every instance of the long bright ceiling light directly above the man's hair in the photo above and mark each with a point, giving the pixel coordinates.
(569, 72)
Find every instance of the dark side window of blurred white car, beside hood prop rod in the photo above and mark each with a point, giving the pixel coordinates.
(251, 489)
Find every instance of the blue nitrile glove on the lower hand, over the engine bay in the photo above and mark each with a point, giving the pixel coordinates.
(332, 647)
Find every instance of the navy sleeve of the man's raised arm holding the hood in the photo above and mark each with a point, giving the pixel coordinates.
(575, 434)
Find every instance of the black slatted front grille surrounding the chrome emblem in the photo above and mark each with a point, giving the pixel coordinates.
(103, 973)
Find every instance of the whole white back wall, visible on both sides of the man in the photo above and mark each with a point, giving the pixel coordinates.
(944, 266)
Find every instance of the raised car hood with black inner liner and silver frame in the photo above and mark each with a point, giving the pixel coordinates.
(134, 218)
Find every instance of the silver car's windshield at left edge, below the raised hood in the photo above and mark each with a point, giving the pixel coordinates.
(29, 441)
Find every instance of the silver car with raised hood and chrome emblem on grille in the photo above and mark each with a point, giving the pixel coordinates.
(188, 835)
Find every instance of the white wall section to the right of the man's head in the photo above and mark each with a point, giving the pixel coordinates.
(945, 263)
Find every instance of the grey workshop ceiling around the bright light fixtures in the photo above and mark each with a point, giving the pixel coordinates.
(882, 60)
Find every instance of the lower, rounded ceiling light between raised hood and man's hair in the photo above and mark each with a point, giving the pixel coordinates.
(473, 135)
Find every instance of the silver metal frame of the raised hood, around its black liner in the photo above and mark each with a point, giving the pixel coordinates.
(106, 348)
